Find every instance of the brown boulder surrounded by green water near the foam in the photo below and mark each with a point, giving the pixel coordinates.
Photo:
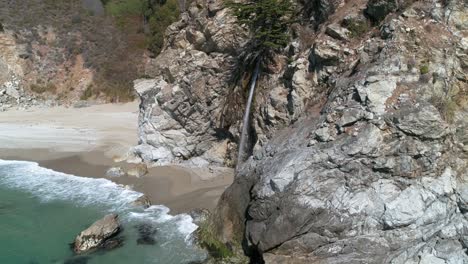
(97, 234)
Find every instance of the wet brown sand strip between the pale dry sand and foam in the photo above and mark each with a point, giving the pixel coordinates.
(178, 188)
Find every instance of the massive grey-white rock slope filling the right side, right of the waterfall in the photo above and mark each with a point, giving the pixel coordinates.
(380, 176)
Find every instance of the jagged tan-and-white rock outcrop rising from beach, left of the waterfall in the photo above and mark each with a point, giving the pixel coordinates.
(180, 110)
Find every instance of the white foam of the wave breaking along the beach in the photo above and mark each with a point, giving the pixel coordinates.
(49, 185)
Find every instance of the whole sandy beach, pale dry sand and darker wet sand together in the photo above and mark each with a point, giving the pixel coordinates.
(84, 141)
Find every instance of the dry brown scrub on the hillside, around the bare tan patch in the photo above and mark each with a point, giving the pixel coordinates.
(113, 54)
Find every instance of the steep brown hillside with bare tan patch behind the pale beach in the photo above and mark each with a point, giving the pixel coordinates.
(65, 51)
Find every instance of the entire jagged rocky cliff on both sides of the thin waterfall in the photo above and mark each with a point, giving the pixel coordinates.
(370, 101)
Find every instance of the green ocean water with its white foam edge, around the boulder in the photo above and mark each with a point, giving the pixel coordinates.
(42, 211)
